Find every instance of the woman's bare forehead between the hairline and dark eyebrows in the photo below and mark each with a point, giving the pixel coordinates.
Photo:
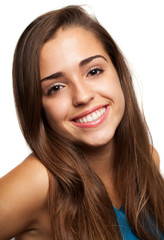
(67, 49)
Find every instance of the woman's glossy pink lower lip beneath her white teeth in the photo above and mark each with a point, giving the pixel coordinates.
(93, 123)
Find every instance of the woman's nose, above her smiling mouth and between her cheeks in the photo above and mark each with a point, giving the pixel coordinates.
(82, 93)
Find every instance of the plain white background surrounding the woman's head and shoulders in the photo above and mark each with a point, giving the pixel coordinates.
(138, 28)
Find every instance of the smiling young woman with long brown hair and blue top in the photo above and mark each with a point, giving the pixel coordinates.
(93, 173)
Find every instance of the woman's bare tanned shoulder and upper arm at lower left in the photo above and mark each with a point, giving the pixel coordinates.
(23, 192)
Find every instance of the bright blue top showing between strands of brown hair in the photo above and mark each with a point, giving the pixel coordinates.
(126, 231)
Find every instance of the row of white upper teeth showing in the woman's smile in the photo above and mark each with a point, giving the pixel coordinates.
(93, 116)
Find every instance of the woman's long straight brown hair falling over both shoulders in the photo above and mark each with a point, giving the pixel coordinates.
(79, 205)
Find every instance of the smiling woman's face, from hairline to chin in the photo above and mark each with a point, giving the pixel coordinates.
(82, 97)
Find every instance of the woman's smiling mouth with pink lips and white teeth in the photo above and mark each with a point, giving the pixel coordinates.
(92, 119)
